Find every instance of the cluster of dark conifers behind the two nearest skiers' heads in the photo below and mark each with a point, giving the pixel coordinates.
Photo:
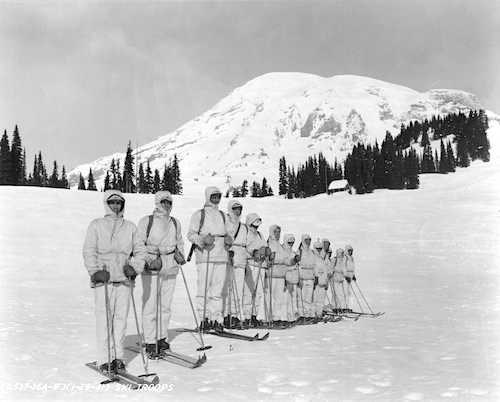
(145, 181)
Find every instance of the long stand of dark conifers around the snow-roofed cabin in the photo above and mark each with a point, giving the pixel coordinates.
(396, 164)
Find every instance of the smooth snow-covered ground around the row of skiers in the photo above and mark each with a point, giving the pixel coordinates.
(428, 258)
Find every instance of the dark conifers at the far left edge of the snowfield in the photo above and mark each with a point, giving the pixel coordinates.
(13, 166)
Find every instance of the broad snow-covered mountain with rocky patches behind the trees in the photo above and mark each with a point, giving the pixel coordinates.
(291, 114)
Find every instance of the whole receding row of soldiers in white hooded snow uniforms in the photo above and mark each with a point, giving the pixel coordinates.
(243, 279)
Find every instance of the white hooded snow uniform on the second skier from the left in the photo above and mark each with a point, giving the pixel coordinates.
(164, 237)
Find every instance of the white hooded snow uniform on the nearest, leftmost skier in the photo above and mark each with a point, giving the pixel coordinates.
(109, 243)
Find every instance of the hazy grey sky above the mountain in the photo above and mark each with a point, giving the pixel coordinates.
(82, 78)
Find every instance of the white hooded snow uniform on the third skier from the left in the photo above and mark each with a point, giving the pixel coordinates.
(214, 261)
